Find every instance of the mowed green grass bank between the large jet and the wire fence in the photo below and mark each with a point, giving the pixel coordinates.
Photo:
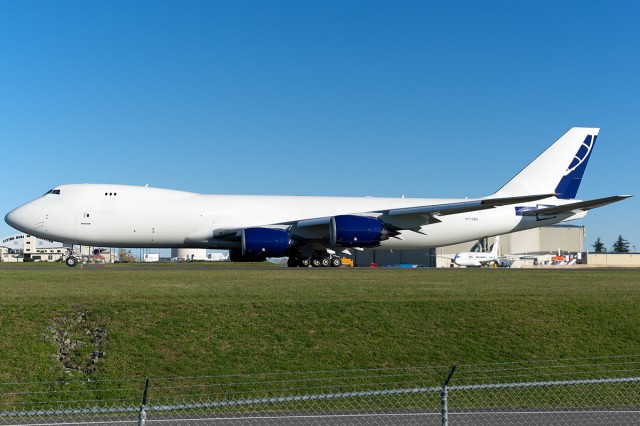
(204, 320)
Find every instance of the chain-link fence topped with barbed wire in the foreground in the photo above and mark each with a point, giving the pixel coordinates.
(570, 392)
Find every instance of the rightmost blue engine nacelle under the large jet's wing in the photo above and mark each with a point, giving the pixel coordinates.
(356, 231)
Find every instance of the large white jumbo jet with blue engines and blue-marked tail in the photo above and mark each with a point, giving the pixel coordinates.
(307, 229)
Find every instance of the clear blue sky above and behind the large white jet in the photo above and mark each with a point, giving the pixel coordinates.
(380, 98)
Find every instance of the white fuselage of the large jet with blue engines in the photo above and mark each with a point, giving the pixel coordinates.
(130, 216)
